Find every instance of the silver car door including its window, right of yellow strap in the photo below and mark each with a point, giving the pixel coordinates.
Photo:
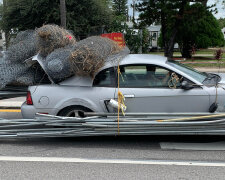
(145, 93)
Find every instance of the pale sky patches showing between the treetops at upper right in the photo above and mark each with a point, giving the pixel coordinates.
(220, 14)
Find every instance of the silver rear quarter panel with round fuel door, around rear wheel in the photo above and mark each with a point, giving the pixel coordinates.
(60, 96)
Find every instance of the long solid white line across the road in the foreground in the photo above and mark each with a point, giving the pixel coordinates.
(111, 161)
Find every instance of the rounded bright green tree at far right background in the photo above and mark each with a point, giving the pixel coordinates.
(200, 30)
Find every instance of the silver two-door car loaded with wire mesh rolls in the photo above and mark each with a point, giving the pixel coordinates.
(149, 83)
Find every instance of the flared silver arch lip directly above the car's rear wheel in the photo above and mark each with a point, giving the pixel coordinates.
(78, 102)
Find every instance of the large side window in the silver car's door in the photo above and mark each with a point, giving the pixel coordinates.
(148, 76)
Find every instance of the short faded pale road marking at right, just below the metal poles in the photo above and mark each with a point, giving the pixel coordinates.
(211, 146)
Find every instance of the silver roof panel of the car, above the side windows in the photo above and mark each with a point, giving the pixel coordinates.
(139, 59)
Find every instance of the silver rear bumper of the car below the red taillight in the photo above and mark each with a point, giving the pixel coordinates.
(29, 111)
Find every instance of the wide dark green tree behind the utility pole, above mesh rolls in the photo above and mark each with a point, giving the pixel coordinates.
(84, 17)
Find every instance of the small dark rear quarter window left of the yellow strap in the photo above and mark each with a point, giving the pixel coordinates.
(105, 78)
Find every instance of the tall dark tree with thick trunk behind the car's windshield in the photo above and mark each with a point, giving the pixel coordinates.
(170, 14)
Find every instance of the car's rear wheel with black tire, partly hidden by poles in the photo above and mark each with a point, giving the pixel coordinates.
(74, 111)
